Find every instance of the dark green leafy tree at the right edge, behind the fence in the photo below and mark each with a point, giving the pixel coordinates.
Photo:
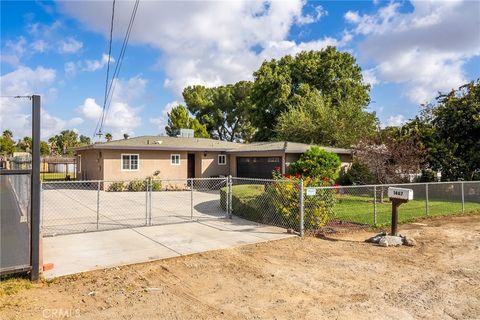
(449, 130)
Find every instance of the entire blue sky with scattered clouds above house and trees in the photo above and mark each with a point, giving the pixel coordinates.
(408, 51)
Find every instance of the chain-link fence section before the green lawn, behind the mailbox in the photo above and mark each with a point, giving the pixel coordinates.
(357, 207)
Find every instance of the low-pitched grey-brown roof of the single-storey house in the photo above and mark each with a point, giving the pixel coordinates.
(202, 144)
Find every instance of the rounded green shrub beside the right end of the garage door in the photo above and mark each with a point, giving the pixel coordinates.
(317, 163)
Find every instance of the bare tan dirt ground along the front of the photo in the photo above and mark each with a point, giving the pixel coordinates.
(293, 278)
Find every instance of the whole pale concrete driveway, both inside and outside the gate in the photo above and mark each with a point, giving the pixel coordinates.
(133, 228)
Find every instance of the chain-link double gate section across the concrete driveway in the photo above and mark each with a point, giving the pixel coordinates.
(83, 206)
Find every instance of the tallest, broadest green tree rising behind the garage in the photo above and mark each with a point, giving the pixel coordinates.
(280, 85)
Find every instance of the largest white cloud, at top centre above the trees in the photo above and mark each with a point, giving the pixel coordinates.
(213, 42)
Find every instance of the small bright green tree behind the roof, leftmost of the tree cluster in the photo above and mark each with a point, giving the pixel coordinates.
(179, 118)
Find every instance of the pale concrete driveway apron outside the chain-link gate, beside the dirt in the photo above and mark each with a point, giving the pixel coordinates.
(97, 250)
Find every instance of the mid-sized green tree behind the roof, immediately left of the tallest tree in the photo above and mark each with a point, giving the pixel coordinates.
(225, 110)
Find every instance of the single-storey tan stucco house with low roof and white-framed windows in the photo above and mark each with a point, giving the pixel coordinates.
(182, 157)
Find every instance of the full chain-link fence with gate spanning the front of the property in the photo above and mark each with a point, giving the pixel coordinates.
(81, 206)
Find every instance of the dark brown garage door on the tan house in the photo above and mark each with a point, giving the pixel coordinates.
(257, 167)
